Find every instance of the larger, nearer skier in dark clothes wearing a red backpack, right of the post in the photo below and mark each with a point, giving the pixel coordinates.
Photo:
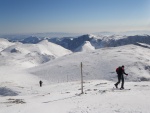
(120, 71)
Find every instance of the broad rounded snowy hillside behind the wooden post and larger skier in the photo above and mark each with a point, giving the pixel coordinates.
(98, 64)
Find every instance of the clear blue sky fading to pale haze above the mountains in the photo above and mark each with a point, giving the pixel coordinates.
(73, 16)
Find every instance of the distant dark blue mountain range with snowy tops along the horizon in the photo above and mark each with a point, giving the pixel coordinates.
(97, 41)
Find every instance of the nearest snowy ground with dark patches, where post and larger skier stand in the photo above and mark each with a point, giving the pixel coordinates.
(99, 96)
